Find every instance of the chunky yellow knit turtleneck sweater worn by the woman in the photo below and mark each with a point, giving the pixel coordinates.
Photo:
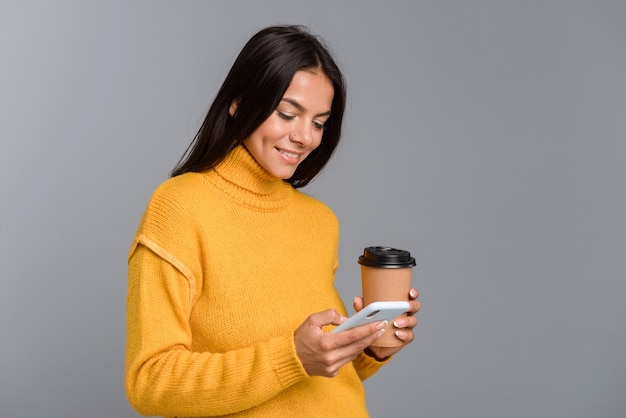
(224, 267)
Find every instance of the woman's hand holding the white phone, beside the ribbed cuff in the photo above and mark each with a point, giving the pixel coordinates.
(322, 353)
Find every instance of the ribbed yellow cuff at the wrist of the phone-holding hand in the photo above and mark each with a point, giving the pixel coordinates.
(285, 361)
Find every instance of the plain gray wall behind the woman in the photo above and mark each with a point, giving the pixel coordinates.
(488, 138)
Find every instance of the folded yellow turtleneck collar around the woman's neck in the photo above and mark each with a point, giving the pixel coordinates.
(243, 179)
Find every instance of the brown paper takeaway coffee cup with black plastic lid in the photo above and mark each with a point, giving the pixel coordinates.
(386, 276)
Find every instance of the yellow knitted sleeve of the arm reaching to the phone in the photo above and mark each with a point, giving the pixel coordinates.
(164, 376)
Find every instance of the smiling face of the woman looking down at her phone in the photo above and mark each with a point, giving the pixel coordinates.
(295, 128)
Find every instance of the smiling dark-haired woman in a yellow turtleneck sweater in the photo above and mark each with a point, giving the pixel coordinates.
(232, 268)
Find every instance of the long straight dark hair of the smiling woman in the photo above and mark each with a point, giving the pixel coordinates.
(258, 80)
